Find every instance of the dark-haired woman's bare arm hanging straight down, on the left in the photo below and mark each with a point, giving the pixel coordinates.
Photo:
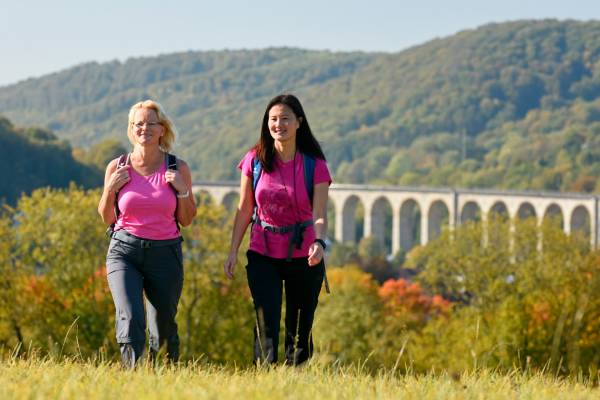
(243, 216)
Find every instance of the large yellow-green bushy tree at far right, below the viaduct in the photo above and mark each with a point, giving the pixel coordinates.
(532, 303)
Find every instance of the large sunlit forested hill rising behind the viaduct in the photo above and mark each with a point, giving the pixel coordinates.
(513, 105)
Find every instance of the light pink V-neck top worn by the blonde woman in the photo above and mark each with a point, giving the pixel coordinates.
(147, 206)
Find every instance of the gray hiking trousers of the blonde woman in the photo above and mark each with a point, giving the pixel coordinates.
(136, 267)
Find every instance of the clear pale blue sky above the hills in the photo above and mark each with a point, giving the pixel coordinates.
(43, 36)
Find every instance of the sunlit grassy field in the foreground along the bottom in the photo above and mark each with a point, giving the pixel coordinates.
(46, 379)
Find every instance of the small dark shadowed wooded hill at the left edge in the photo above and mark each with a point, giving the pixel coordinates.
(33, 158)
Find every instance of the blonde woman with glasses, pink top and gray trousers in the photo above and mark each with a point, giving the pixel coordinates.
(146, 196)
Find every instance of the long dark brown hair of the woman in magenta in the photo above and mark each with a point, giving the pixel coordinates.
(305, 141)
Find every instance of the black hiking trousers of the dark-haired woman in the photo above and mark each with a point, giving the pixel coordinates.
(266, 278)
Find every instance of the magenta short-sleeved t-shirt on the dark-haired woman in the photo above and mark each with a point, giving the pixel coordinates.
(282, 201)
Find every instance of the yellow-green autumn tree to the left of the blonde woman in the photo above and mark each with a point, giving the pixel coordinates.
(60, 249)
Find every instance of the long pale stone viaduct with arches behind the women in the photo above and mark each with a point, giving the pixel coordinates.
(417, 215)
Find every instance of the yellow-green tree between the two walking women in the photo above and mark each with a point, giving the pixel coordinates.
(215, 315)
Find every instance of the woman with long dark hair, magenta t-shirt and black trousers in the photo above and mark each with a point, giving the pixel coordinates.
(287, 238)
